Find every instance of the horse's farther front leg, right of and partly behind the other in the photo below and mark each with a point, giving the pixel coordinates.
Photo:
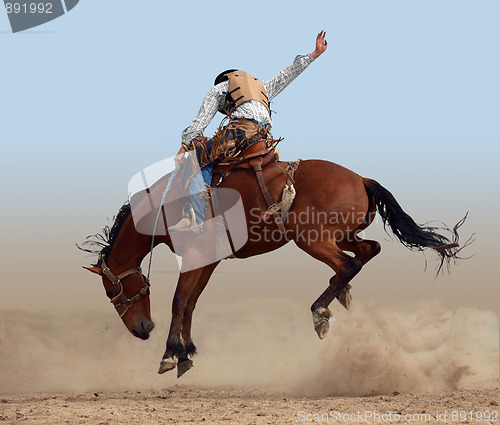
(185, 363)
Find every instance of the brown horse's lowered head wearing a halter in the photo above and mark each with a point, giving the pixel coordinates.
(129, 293)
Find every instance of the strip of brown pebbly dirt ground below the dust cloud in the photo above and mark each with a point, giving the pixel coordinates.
(181, 404)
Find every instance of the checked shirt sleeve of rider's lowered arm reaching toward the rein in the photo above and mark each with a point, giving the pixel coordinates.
(213, 101)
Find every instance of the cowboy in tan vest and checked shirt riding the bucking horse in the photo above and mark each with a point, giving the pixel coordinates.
(248, 116)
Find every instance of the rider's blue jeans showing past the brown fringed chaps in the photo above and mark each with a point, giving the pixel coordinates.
(199, 182)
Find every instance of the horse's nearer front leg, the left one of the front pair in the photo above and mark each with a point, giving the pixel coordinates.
(175, 343)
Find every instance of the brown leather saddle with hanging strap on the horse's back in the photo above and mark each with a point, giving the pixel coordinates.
(255, 158)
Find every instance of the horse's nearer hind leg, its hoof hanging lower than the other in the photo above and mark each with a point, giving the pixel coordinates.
(345, 267)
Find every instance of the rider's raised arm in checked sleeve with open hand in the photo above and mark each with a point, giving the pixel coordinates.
(275, 85)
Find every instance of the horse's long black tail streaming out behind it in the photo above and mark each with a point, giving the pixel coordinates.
(409, 233)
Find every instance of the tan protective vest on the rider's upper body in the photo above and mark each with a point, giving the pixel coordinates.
(242, 88)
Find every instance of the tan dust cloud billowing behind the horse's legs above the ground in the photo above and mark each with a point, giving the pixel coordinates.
(268, 344)
